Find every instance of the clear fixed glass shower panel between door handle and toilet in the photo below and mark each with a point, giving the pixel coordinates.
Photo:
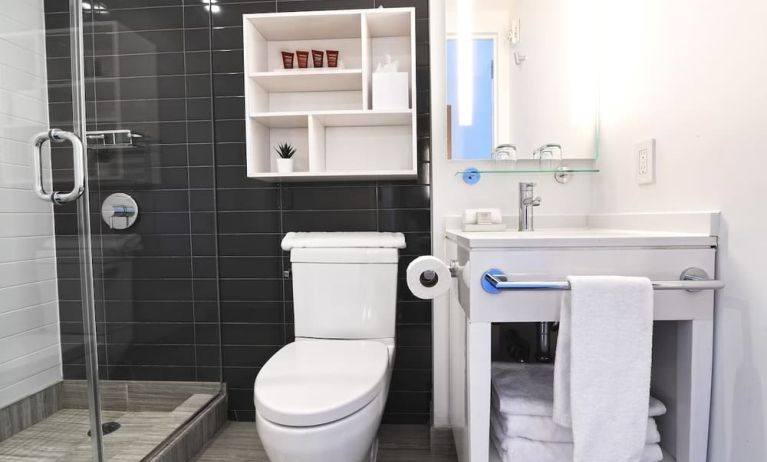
(151, 152)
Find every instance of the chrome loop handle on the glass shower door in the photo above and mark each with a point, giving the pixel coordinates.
(59, 136)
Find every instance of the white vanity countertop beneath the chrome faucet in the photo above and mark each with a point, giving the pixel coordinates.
(578, 237)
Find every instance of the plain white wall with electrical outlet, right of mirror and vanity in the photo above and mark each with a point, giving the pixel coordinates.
(693, 75)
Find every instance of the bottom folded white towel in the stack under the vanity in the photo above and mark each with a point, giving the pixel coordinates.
(524, 450)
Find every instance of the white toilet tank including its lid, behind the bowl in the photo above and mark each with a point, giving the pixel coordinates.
(344, 284)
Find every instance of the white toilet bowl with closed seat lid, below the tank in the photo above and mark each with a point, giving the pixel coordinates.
(322, 400)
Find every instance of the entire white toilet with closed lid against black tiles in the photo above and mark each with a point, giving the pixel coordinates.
(321, 397)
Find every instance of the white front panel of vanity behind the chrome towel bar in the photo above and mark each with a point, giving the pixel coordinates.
(544, 264)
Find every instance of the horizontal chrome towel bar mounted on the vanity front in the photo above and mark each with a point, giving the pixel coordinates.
(692, 280)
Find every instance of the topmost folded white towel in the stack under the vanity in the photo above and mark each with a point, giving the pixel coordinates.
(528, 389)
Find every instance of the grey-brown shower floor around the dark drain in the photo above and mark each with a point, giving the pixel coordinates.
(63, 437)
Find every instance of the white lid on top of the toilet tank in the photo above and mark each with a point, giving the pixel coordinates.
(343, 240)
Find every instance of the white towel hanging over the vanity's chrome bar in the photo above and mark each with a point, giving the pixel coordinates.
(602, 368)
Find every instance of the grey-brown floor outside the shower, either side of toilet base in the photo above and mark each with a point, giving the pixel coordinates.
(238, 442)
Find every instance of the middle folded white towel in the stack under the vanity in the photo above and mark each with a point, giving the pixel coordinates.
(543, 428)
